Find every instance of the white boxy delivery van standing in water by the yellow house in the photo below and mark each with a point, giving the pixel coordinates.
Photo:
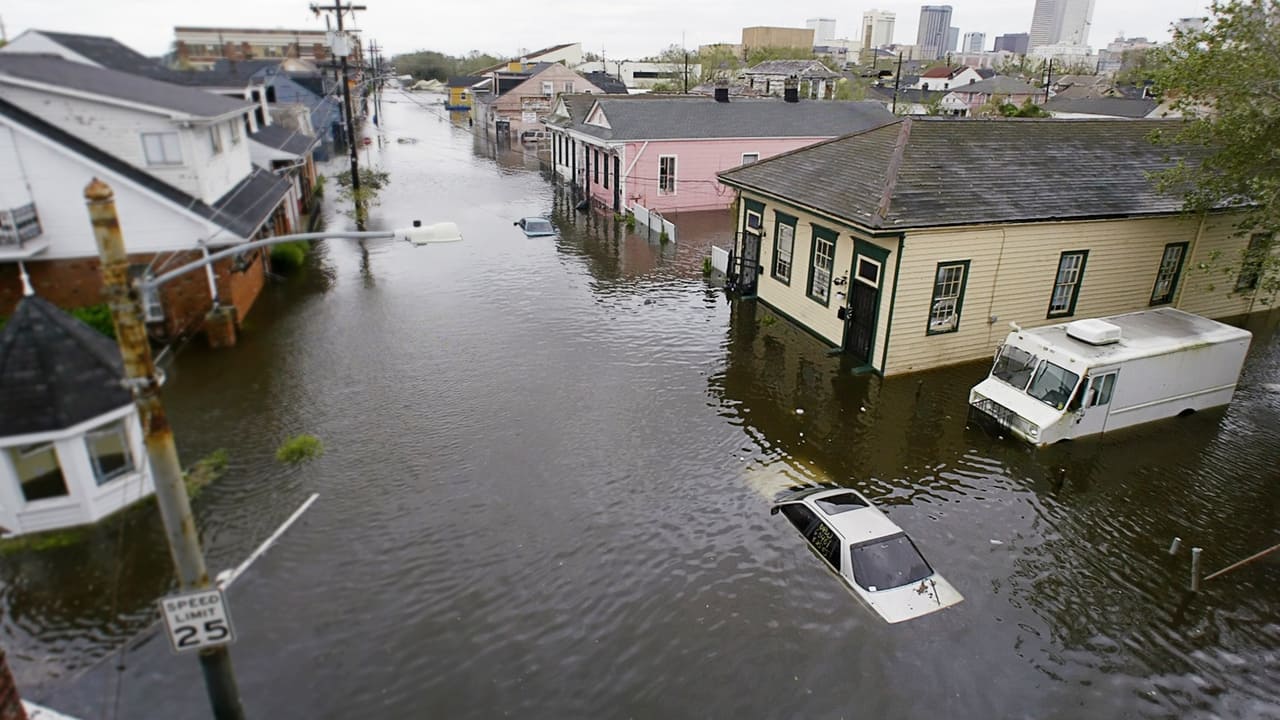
(1089, 377)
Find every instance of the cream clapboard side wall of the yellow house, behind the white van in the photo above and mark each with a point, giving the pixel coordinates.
(1012, 276)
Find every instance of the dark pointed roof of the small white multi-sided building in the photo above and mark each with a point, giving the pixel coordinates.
(56, 372)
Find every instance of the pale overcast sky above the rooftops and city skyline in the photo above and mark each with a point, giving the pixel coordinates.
(623, 29)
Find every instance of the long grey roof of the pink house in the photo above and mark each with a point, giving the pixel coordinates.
(648, 117)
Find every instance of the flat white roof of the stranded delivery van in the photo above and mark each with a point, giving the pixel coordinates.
(1142, 335)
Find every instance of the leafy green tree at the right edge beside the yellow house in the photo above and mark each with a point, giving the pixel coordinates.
(1223, 81)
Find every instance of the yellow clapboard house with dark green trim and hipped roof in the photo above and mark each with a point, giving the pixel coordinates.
(915, 245)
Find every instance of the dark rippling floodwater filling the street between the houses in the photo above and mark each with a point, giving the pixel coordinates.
(546, 495)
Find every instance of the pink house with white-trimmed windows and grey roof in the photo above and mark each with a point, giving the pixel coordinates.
(662, 152)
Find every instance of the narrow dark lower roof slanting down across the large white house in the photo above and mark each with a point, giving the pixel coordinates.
(243, 211)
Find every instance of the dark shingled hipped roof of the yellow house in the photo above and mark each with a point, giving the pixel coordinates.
(921, 172)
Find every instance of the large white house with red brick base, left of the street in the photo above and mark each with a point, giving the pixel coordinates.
(180, 163)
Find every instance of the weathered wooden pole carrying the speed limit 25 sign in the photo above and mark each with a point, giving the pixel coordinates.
(141, 376)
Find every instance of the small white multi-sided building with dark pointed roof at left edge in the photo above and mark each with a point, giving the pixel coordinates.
(71, 444)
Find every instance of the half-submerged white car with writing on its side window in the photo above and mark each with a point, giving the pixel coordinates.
(871, 554)
